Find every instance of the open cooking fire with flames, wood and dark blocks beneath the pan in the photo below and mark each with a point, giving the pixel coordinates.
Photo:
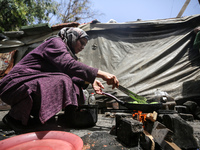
(161, 129)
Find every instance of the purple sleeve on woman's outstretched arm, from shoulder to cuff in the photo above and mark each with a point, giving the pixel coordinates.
(56, 53)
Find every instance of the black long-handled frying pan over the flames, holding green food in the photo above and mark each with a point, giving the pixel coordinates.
(146, 108)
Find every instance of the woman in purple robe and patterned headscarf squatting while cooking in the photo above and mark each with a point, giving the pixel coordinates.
(49, 78)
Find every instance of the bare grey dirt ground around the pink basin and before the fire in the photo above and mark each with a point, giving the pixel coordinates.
(94, 138)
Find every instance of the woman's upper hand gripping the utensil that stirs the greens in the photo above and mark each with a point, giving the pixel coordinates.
(109, 78)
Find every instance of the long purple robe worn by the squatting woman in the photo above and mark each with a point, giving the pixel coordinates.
(48, 71)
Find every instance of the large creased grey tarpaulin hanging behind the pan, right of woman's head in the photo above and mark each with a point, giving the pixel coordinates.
(147, 55)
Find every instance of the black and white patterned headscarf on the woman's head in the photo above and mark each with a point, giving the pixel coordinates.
(70, 35)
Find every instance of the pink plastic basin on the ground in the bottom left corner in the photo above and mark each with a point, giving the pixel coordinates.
(51, 140)
